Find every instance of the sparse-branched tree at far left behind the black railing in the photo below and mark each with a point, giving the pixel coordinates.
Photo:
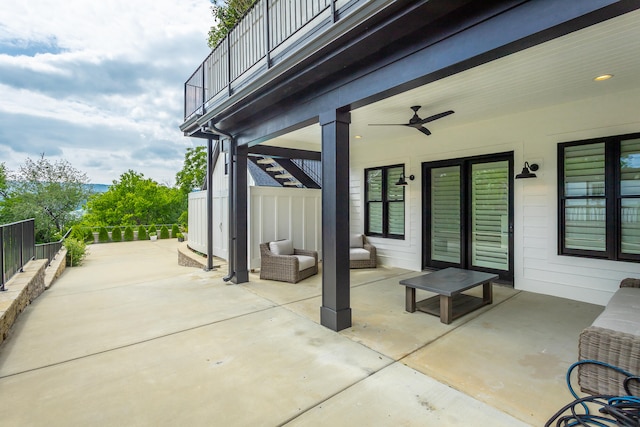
(49, 191)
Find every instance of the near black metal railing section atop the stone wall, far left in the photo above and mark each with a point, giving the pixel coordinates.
(17, 247)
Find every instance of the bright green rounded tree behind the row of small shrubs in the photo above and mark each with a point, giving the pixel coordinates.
(135, 200)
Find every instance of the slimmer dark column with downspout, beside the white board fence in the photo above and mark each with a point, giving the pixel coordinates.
(240, 214)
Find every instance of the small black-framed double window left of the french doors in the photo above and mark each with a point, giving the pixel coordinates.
(384, 202)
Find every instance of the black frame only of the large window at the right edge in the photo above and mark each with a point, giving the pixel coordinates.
(612, 200)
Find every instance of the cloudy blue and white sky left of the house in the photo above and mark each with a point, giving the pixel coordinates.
(99, 83)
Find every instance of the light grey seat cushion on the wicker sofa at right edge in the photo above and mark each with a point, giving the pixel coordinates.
(621, 313)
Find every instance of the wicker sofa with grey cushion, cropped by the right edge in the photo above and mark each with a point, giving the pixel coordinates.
(613, 338)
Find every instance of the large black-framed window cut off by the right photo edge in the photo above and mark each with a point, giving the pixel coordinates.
(599, 198)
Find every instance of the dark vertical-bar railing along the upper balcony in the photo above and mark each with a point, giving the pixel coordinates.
(270, 32)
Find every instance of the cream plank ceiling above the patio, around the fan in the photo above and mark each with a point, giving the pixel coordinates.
(552, 73)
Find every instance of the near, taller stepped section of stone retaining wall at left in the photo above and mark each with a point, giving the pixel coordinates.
(21, 290)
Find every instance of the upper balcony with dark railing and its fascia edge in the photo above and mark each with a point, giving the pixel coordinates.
(267, 45)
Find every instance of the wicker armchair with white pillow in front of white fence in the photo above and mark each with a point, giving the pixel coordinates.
(285, 268)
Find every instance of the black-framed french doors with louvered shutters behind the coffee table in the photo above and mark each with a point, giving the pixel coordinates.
(468, 214)
